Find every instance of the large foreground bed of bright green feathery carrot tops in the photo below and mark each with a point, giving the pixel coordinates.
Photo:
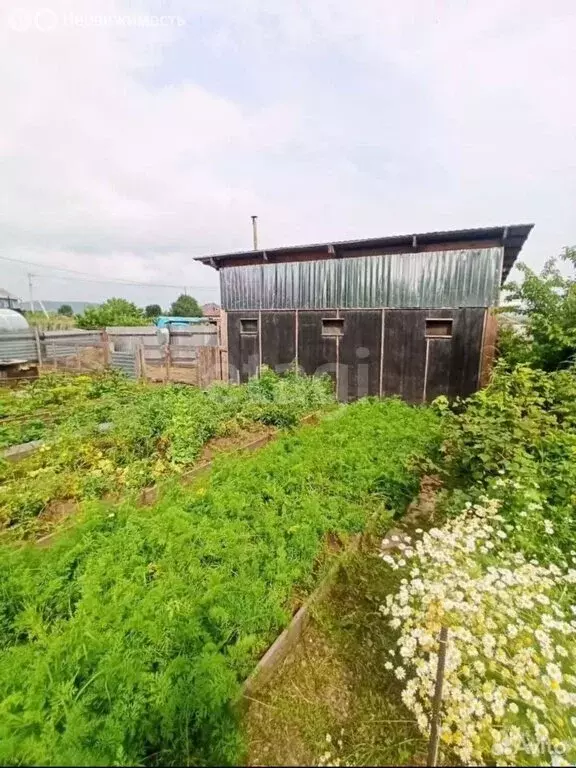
(129, 638)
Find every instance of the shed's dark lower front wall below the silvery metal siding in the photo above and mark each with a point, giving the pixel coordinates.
(413, 366)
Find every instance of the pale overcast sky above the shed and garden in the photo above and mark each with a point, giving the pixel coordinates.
(129, 145)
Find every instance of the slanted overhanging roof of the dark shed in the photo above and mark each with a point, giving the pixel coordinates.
(511, 237)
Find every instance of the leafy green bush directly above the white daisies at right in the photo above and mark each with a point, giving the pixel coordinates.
(516, 441)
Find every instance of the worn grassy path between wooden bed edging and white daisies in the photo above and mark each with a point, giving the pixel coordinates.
(334, 685)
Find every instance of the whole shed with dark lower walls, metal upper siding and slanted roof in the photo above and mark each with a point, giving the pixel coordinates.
(405, 315)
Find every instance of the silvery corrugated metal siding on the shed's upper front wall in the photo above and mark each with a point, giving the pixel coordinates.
(463, 278)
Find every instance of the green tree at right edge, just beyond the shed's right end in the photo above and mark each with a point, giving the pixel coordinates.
(547, 307)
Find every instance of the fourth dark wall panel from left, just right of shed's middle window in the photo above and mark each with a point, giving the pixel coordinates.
(360, 353)
